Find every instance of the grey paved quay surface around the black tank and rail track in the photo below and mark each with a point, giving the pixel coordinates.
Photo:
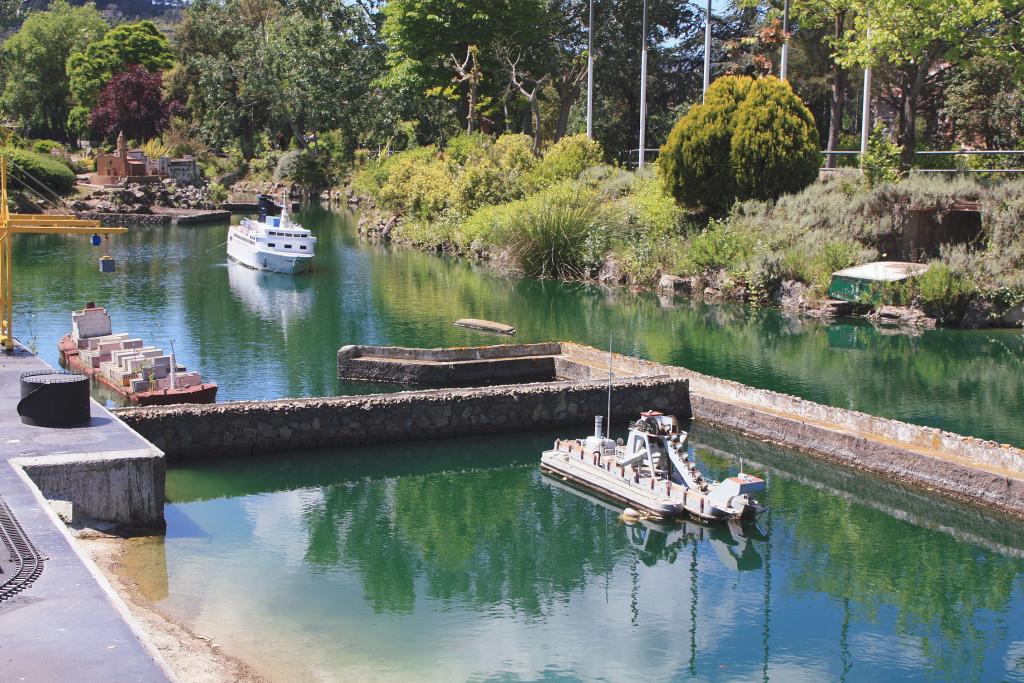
(68, 626)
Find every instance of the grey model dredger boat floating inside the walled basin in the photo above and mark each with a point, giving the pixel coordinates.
(653, 472)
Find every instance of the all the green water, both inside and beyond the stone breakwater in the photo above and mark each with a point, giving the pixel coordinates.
(457, 561)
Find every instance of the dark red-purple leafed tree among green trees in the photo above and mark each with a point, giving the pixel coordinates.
(134, 103)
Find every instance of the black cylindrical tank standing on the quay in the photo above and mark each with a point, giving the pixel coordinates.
(55, 399)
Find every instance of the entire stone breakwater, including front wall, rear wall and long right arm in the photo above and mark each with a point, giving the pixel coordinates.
(964, 468)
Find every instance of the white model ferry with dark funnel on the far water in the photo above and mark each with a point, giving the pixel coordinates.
(272, 243)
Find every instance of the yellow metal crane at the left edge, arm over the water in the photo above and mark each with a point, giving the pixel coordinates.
(16, 224)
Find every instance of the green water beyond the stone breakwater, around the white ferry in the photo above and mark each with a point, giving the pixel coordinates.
(270, 336)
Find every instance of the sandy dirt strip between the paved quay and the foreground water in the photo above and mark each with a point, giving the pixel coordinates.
(193, 658)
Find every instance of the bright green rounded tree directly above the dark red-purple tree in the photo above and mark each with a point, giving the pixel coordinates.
(140, 44)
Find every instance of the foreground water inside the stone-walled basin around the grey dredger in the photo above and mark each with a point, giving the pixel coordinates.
(434, 563)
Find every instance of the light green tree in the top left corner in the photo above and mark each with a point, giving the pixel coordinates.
(35, 61)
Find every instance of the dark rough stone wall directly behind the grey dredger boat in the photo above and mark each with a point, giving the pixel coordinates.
(251, 428)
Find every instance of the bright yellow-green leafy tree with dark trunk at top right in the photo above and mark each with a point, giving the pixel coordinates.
(915, 38)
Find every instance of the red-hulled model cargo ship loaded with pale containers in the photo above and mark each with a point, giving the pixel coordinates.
(142, 375)
